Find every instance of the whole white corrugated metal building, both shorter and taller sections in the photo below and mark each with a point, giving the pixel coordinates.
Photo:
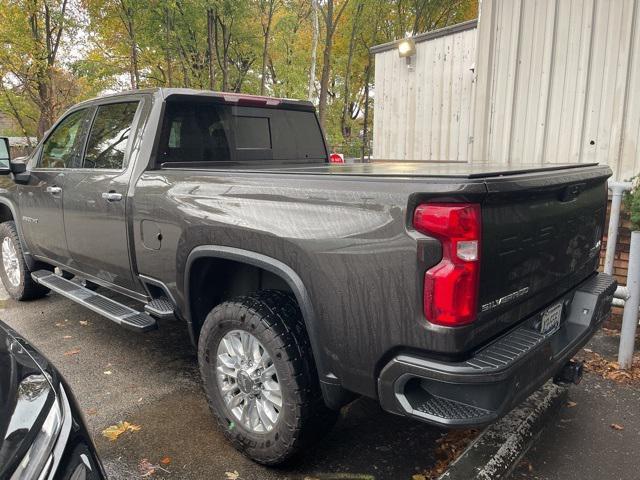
(544, 81)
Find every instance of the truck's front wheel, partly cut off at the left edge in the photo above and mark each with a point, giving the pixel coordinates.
(15, 274)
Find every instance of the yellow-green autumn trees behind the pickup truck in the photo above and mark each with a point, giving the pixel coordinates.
(113, 45)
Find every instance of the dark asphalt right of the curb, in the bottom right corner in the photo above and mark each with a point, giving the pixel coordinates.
(596, 435)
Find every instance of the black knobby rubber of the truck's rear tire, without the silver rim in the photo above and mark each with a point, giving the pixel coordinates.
(274, 318)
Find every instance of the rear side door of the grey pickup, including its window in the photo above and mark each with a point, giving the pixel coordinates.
(95, 208)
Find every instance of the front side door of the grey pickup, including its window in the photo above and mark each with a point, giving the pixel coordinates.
(40, 200)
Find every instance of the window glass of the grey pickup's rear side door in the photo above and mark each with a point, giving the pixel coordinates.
(109, 136)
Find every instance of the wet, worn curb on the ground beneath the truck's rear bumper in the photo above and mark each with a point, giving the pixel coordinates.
(499, 448)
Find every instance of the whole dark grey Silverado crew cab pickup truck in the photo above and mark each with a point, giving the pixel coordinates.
(446, 291)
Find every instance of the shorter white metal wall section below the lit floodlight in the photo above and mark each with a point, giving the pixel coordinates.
(424, 113)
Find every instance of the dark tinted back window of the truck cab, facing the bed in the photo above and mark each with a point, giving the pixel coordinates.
(209, 133)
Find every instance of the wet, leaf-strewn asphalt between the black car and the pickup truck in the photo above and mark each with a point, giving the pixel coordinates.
(152, 380)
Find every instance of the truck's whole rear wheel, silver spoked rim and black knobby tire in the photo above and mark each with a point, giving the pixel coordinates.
(260, 378)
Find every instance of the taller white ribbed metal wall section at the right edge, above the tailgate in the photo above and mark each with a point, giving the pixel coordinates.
(555, 82)
